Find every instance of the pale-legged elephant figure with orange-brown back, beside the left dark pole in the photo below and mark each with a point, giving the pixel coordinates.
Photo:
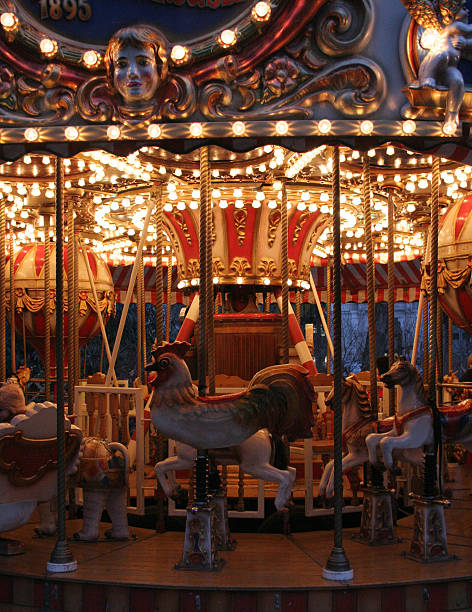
(103, 475)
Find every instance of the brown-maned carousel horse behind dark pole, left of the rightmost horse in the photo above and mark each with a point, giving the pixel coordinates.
(358, 422)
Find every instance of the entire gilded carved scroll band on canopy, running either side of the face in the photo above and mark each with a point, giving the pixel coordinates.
(321, 63)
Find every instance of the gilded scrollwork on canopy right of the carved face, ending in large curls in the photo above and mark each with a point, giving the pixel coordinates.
(319, 66)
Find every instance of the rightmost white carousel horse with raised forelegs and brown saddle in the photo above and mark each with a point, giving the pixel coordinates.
(413, 422)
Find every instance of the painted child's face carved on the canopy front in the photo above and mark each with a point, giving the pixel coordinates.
(135, 74)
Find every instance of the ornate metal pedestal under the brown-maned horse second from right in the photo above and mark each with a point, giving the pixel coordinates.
(377, 518)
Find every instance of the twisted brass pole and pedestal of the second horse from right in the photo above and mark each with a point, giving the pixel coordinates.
(377, 515)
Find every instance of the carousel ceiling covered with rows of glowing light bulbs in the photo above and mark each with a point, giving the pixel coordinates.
(110, 195)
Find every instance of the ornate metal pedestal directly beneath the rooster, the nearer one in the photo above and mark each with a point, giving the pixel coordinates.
(200, 552)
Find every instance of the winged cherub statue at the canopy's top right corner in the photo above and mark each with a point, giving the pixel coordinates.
(449, 19)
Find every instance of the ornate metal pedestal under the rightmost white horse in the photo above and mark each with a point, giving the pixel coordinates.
(429, 541)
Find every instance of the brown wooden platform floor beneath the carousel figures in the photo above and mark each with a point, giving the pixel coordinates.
(265, 562)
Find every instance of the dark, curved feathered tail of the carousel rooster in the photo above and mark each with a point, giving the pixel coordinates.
(292, 397)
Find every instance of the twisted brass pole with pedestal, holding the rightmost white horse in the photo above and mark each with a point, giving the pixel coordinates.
(430, 531)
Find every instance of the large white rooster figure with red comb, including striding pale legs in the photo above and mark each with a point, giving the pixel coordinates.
(278, 401)
